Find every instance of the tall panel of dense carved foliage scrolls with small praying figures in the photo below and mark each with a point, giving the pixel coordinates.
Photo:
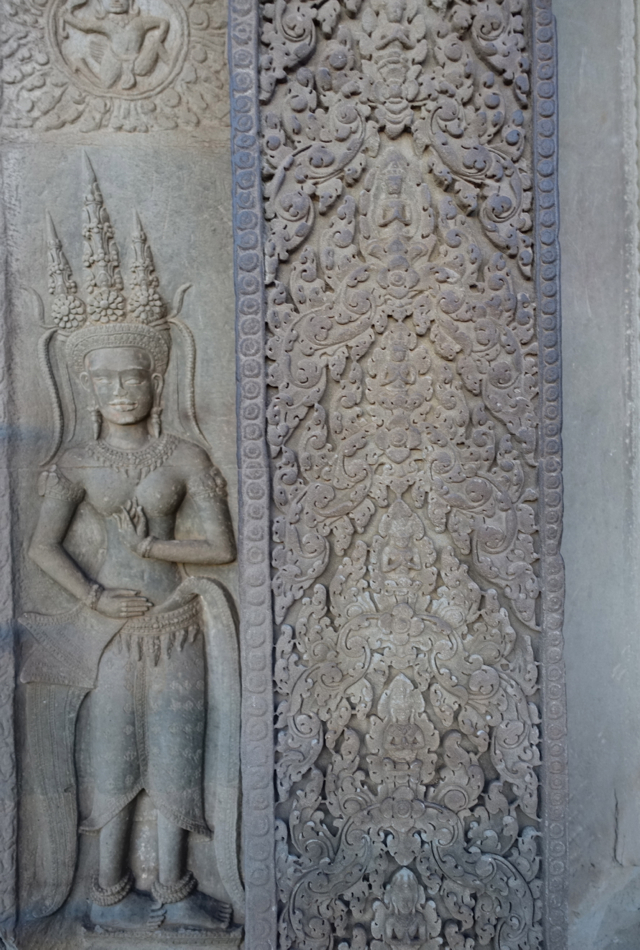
(403, 423)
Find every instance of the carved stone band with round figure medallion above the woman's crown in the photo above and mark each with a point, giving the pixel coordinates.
(129, 65)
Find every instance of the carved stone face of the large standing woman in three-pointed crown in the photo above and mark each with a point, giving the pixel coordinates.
(123, 382)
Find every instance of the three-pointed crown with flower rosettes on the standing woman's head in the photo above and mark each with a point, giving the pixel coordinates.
(107, 318)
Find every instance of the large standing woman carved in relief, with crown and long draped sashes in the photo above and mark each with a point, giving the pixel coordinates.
(136, 658)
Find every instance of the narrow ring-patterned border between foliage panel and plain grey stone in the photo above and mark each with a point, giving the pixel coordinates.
(554, 777)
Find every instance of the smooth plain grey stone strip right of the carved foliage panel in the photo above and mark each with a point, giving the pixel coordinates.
(598, 156)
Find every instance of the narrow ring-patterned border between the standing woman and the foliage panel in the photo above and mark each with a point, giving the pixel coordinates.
(256, 631)
